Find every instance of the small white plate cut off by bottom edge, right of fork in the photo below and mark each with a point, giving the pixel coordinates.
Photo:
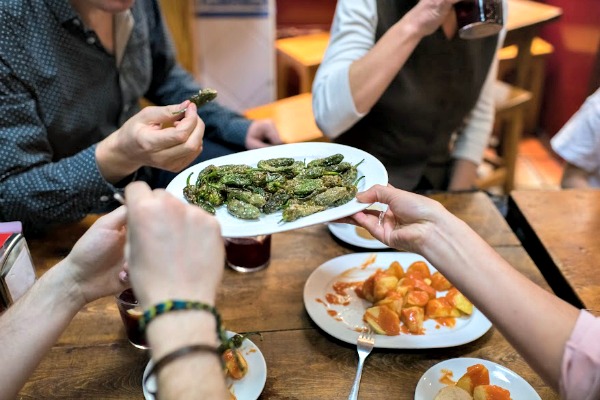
(429, 384)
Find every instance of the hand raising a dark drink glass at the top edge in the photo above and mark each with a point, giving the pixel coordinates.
(428, 15)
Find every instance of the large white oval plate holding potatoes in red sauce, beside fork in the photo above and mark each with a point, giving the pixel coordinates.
(347, 320)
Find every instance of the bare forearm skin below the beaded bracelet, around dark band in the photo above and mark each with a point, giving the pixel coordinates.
(180, 378)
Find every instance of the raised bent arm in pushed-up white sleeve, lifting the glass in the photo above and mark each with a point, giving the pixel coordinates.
(346, 87)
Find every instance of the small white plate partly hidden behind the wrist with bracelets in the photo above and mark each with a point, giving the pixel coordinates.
(247, 388)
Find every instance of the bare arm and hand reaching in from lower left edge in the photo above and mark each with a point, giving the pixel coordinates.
(90, 271)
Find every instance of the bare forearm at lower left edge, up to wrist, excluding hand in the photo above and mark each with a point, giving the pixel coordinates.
(32, 325)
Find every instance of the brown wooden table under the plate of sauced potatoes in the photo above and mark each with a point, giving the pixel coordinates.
(93, 359)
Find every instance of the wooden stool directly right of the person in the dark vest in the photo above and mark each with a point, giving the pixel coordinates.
(511, 103)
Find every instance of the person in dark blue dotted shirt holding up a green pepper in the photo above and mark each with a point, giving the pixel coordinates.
(72, 73)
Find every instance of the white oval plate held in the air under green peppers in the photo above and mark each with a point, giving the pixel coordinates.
(371, 168)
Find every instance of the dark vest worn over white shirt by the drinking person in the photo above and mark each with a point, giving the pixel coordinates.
(412, 123)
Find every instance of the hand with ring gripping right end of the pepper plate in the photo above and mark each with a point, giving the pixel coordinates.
(408, 221)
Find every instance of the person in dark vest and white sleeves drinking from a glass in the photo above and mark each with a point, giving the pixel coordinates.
(398, 82)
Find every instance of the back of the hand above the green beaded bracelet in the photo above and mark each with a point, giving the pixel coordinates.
(174, 250)
